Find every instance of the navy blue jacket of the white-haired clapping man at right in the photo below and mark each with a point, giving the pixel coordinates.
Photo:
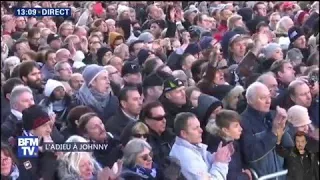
(258, 142)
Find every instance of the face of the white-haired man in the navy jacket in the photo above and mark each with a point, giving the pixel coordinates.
(262, 100)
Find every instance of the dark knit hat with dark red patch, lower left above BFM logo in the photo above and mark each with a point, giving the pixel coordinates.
(34, 117)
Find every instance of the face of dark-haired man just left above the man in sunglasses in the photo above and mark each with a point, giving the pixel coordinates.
(133, 104)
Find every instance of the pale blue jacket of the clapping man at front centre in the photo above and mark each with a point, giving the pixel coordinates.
(196, 160)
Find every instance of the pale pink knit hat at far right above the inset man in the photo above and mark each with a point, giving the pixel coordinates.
(298, 116)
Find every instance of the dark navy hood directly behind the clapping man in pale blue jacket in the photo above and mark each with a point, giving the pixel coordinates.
(206, 105)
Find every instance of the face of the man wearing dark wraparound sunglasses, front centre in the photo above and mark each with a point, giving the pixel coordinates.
(157, 121)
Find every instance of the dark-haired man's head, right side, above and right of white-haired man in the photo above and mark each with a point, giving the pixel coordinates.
(283, 70)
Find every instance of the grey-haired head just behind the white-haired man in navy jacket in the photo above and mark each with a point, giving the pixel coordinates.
(270, 81)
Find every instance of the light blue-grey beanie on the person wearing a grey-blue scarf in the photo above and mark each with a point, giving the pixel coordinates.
(91, 72)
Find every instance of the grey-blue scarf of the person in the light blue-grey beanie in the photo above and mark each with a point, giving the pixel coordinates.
(93, 98)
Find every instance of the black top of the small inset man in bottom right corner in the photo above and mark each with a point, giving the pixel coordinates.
(299, 166)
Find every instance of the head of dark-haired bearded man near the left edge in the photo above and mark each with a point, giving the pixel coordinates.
(30, 74)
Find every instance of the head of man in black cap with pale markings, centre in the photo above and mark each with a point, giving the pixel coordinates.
(174, 91)
